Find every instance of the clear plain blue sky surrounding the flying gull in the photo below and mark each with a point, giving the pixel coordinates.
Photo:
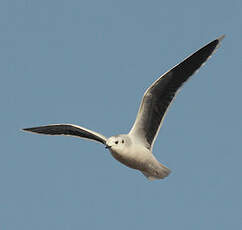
(89, 63)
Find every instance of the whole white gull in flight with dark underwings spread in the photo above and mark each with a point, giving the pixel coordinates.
(135, 148)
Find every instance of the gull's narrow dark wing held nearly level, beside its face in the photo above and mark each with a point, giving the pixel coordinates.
(69, 130)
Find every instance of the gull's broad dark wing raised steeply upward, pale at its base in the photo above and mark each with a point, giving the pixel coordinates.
(160, 94)
